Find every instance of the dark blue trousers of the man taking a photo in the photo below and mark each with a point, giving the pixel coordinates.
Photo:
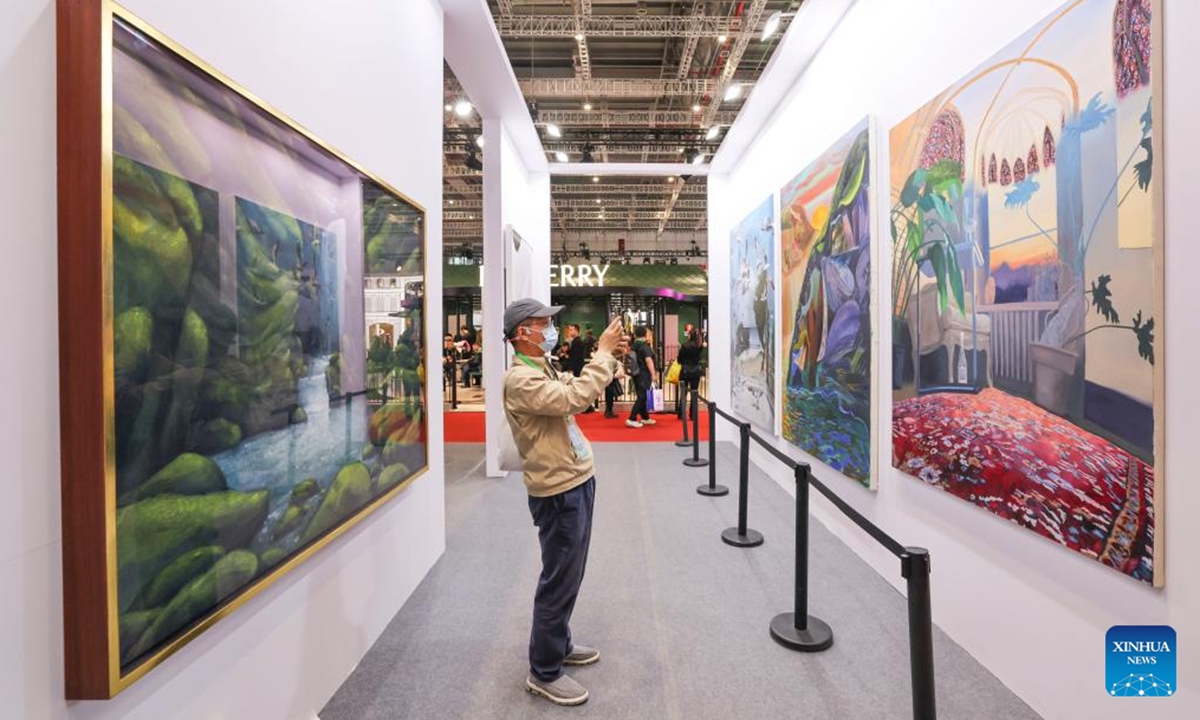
(565, 530)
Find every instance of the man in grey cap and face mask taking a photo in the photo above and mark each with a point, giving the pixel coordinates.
(560, 477)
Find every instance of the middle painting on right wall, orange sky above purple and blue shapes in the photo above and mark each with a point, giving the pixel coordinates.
(827, 278)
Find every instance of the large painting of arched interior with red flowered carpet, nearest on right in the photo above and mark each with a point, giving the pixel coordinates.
(1028, 286)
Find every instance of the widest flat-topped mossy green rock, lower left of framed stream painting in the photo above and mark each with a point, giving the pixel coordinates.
(153, 533)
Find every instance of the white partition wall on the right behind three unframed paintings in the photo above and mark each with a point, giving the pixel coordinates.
(1034, 614)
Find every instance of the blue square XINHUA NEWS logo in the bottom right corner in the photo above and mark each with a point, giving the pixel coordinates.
(1141, 661)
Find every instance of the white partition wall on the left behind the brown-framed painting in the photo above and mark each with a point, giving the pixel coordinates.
(364, 76)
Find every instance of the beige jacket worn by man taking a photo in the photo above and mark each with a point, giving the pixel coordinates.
(541, 405)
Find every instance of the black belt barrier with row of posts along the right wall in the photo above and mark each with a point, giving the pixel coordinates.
(799, 631)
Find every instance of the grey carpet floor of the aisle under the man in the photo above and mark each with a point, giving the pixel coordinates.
(681, 619)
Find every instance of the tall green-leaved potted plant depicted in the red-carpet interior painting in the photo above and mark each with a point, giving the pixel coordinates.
(926, 226)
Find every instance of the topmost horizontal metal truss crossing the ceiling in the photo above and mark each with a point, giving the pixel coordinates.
(617, 27)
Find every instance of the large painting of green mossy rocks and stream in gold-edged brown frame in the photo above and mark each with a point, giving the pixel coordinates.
(242, 314)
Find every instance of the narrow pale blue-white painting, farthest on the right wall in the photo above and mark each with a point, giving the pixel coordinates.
(753, 316)
